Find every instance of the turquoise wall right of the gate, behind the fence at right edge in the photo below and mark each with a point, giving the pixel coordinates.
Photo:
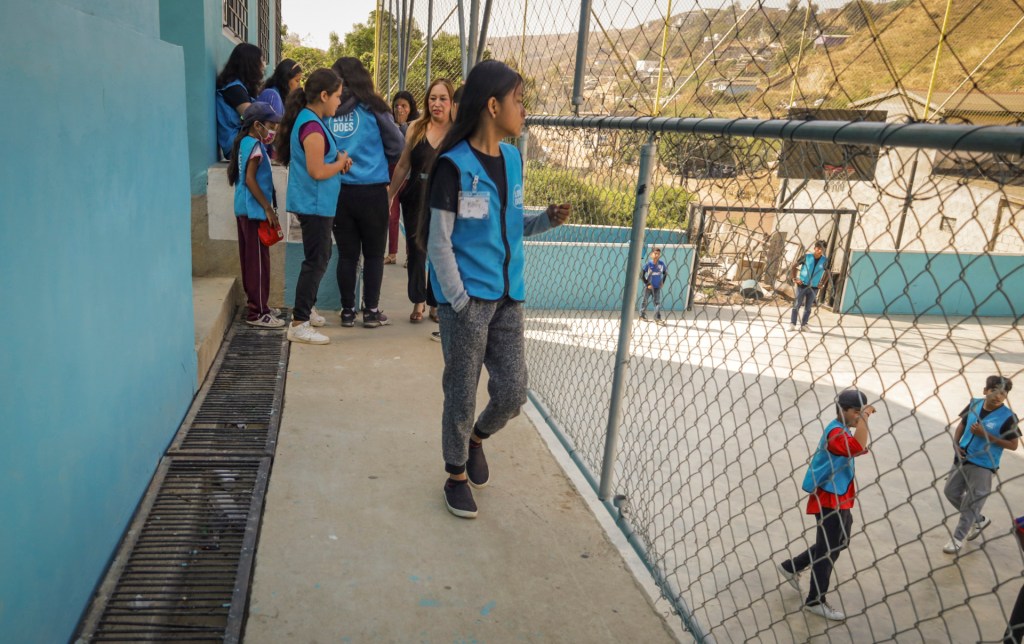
(934, 284)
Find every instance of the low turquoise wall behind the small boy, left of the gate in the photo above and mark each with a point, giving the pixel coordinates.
(575, 276)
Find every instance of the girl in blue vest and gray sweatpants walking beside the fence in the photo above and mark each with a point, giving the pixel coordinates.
(475, 243)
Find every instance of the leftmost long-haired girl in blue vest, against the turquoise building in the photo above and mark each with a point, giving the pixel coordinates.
(237, 84)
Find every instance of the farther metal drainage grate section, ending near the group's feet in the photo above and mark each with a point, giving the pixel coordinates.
(238, 411)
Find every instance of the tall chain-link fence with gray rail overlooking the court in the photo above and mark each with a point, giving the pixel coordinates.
(698, 424)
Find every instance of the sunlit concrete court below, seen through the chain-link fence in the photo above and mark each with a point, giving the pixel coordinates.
(722, 410)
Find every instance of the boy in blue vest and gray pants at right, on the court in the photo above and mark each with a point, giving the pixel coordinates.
(988, 427)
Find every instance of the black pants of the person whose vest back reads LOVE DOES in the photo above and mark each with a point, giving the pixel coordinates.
(361, 227)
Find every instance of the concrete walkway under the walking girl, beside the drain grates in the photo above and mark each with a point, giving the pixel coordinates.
(357, 545)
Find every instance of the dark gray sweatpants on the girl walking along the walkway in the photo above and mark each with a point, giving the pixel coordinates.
(484, 334)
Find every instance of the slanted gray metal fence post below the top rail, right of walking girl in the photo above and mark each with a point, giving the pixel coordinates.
(626, 320)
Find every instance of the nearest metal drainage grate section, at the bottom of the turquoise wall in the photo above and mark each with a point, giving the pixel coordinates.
(183, 571)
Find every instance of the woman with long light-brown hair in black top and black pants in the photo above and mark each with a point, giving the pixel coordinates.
(422, 141)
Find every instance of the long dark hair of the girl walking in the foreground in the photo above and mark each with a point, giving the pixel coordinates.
(490, 79)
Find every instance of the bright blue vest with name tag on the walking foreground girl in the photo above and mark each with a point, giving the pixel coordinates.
(489, 252)
